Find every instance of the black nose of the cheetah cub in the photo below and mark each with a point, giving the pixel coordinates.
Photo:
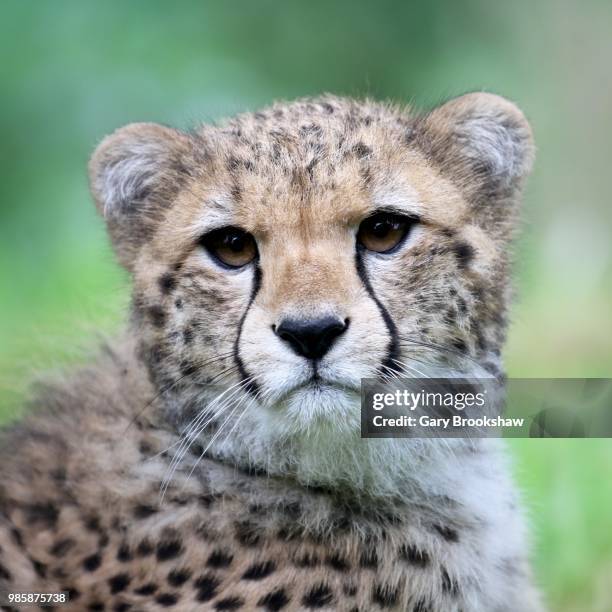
(311, 338)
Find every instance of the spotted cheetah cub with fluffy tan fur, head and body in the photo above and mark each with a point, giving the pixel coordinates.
(211, 458)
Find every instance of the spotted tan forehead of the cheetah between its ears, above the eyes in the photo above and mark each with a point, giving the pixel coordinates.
(310, 164)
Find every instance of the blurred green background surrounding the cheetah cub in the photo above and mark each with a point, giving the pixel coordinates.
(71, 72)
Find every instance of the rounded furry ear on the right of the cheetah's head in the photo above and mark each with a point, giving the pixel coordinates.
(482, 142)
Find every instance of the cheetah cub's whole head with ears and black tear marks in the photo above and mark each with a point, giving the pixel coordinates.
(281, 257)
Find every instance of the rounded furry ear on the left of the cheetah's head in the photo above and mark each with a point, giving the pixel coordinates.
(134, 175)
